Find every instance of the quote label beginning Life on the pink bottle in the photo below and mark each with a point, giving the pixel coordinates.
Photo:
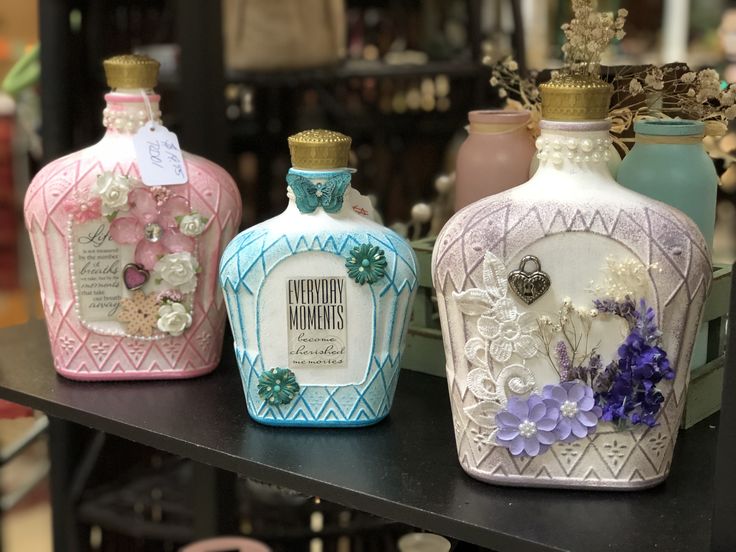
(97, 271)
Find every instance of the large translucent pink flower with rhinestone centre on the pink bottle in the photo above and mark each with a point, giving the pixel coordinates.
(144, 211)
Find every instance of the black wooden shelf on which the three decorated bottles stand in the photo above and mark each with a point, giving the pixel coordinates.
(404, 468)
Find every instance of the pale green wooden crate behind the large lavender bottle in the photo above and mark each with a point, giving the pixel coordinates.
(424, 351)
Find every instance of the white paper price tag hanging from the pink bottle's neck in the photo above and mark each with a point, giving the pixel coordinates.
(159, 157)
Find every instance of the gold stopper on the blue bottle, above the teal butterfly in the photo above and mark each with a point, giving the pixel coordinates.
(319, 149)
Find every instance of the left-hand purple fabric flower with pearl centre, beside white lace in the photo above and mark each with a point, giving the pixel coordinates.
(527, 426)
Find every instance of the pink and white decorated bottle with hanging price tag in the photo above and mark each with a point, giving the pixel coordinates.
(127, 244)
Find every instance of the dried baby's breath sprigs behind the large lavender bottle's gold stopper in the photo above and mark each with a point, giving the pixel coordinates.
(660, 92)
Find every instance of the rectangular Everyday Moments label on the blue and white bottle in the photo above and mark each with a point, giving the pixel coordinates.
(317, 322)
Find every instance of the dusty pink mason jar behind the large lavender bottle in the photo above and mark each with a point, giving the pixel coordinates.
(495, 156)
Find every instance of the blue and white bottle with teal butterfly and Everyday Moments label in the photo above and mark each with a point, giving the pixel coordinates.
(319, 298)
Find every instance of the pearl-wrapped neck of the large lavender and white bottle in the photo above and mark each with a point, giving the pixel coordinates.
(574, 146)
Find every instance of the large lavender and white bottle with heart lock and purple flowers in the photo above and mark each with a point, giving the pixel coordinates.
(569, 307)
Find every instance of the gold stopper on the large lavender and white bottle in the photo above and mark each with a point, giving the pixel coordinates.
(575, 98)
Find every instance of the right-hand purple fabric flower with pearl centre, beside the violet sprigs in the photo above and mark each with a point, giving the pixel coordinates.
(578, 411)
